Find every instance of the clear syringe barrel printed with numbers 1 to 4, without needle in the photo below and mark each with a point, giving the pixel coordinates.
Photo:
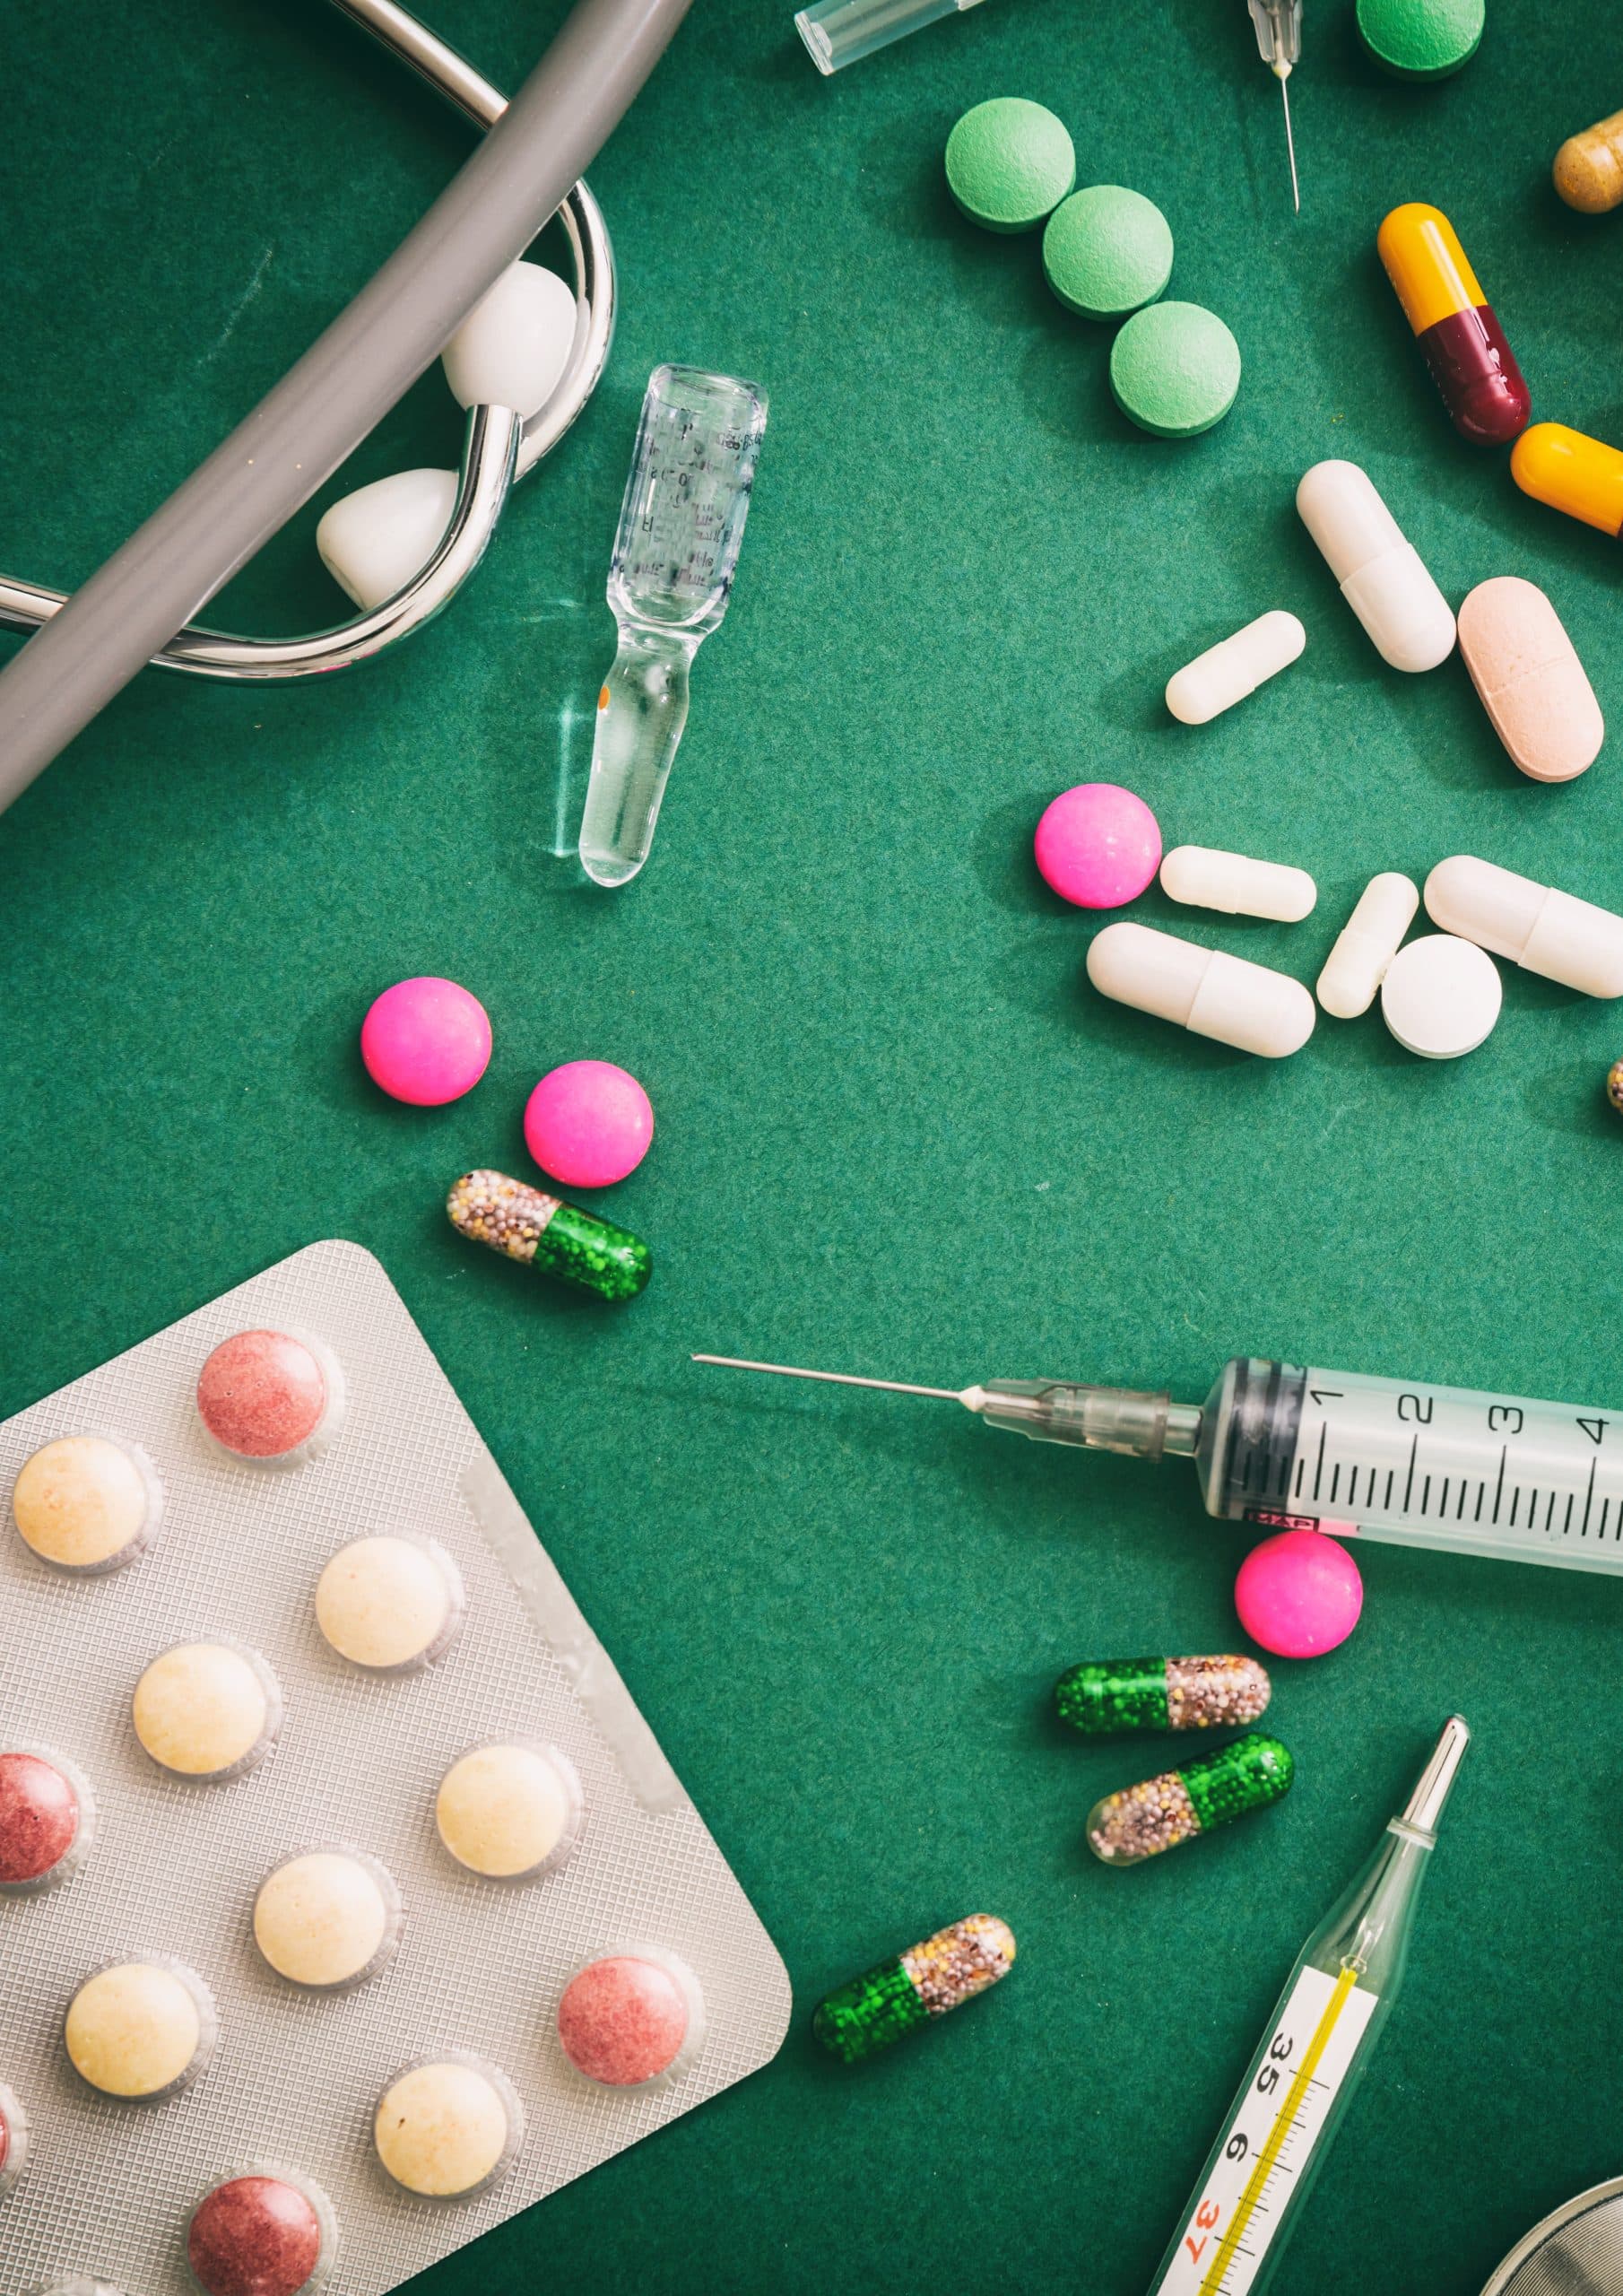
(1415, 1464)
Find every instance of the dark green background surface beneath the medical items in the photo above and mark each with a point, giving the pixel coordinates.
(896, 1128)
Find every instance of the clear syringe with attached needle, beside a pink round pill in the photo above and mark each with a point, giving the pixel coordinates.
(1344, 1452)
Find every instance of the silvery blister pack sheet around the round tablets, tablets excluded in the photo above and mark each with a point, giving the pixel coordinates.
(362, 1758)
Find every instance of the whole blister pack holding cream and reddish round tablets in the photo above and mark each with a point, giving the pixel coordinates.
(339, 1868)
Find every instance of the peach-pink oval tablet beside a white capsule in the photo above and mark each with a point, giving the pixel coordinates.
(1530, 678)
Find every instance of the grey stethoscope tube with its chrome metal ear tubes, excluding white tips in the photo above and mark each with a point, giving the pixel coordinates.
(130, 612)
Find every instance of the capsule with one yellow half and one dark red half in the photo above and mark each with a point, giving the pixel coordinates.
(1473, 364)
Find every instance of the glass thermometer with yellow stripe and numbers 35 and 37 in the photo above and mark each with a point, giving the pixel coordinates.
(1312, 2054)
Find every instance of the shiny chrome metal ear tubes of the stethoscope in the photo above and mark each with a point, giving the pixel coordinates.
(497, 451)
